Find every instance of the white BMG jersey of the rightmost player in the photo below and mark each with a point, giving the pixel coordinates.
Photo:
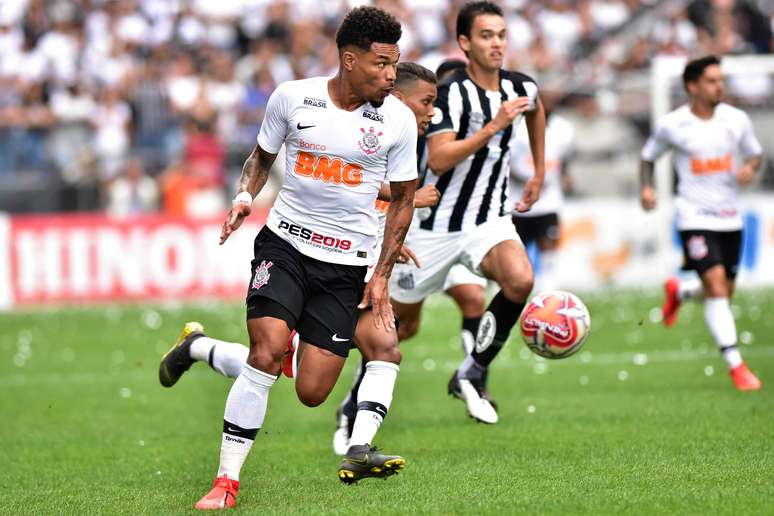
(707, 154)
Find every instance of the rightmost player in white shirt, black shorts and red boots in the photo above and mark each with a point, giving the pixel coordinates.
(714, 150)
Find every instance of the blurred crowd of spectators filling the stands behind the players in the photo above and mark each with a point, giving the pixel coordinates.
(154, 104)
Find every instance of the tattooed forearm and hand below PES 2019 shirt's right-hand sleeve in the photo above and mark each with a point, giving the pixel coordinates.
(399, 216)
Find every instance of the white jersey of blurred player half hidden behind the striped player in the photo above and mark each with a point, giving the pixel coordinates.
(560, 137)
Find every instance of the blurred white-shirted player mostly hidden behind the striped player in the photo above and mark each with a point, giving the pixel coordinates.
(540, 225)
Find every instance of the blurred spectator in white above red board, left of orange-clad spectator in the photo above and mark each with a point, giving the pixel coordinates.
(132, 193)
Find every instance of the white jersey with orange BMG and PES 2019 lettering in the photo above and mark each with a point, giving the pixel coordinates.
(335, 162)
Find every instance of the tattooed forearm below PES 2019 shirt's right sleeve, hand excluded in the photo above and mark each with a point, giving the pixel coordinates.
(398, 221)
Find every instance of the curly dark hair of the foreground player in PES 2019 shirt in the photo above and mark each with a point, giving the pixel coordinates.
(366, 25)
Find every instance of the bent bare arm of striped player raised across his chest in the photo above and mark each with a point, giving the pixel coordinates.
(446, 152)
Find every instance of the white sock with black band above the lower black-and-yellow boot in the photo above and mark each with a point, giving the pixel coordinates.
(373, 400)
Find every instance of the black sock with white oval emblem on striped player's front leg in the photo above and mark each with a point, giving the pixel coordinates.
(496, 325)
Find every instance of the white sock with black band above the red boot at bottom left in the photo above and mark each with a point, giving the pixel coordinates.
(245, 410)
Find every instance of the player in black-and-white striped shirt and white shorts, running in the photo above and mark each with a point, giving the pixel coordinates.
(468, 144)
